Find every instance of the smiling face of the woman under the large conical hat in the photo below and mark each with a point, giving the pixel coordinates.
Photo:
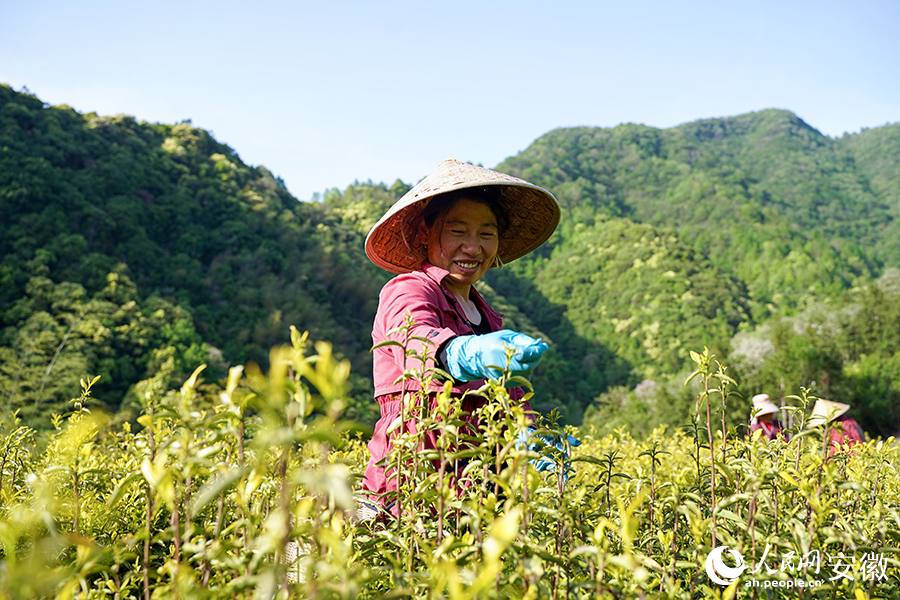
(465, 244)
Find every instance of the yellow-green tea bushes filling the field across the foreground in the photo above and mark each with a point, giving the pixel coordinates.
(253, 493)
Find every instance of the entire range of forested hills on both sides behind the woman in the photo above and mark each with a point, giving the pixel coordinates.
(137, 251)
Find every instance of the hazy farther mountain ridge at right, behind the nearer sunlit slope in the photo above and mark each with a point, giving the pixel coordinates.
(769, 199)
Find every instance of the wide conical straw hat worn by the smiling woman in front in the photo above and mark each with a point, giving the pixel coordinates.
(533, 216)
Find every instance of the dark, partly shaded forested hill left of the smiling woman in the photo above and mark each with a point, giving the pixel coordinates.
(135, 250)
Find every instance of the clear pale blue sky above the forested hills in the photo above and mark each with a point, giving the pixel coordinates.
(324, 93)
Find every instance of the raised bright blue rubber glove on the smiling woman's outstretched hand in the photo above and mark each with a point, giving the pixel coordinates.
(471, 357)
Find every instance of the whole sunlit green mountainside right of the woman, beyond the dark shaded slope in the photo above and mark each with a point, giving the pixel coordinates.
(777, 221)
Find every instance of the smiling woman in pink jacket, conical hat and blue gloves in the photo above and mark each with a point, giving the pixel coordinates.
(441, 238)
